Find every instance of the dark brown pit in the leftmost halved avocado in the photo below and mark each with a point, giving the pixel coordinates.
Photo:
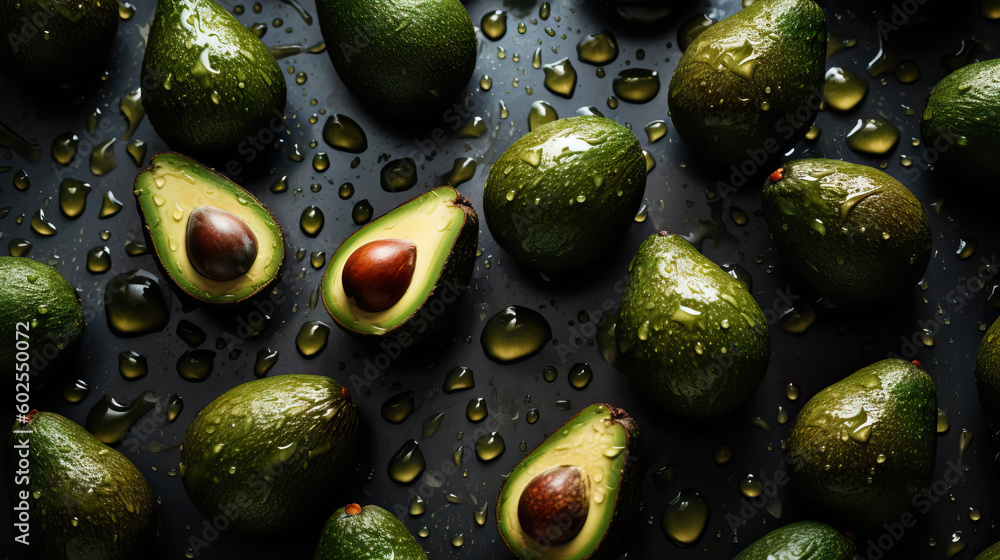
(220, 245)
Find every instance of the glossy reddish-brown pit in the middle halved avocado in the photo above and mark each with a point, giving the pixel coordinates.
(377, 274)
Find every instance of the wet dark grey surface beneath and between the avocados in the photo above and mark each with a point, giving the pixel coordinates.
(683, 196)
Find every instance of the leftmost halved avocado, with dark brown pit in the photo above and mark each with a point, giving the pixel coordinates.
(215, 240)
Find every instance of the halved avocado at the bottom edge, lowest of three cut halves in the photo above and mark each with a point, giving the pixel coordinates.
(574, 495)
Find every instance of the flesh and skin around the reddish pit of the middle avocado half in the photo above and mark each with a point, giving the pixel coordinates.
(442, 228)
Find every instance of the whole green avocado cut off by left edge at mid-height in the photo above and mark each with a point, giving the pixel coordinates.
(41, 319)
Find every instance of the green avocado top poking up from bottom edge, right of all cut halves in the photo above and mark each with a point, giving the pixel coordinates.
(802, 540)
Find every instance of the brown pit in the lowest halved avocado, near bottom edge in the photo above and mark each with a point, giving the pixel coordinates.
(554, 505)
